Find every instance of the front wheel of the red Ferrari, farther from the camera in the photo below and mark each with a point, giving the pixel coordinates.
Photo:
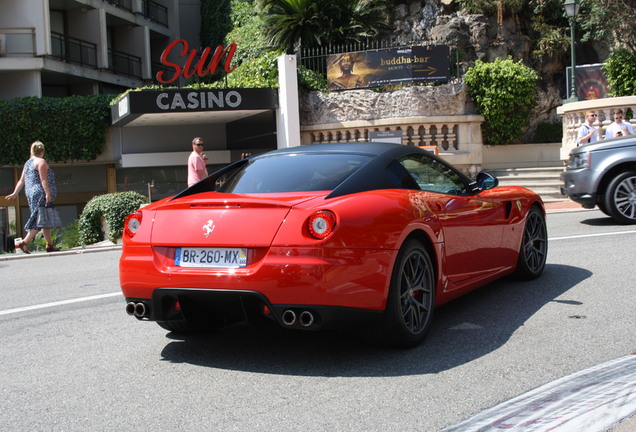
(534, 246)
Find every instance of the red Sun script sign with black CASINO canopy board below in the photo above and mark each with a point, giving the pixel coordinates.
(189, 100)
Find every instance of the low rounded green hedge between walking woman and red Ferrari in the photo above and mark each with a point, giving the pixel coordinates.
(113, 208)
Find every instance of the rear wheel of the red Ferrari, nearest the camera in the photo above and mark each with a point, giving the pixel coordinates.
(409, 309)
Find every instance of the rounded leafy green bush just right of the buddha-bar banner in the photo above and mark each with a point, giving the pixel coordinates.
(504, 92)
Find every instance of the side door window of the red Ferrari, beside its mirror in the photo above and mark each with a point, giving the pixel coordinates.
(434, 176)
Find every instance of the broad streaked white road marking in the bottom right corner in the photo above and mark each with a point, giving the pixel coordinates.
(592, 400)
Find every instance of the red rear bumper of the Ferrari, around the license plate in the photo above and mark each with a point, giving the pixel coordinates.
(356, 278)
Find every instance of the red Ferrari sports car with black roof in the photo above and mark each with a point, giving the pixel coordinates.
(373, 235)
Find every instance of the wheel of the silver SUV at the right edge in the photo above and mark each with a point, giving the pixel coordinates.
(620, 198)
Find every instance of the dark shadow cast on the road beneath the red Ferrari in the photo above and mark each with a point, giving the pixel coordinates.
(462, 331)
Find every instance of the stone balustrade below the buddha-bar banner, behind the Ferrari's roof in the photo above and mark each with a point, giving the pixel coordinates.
(456, 137)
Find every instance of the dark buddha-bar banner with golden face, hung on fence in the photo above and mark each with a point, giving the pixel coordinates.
(413, 64)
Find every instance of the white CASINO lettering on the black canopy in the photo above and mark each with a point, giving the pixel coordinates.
(193, 100)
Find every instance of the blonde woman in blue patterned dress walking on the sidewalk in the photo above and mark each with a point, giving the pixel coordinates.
(38, 181)
